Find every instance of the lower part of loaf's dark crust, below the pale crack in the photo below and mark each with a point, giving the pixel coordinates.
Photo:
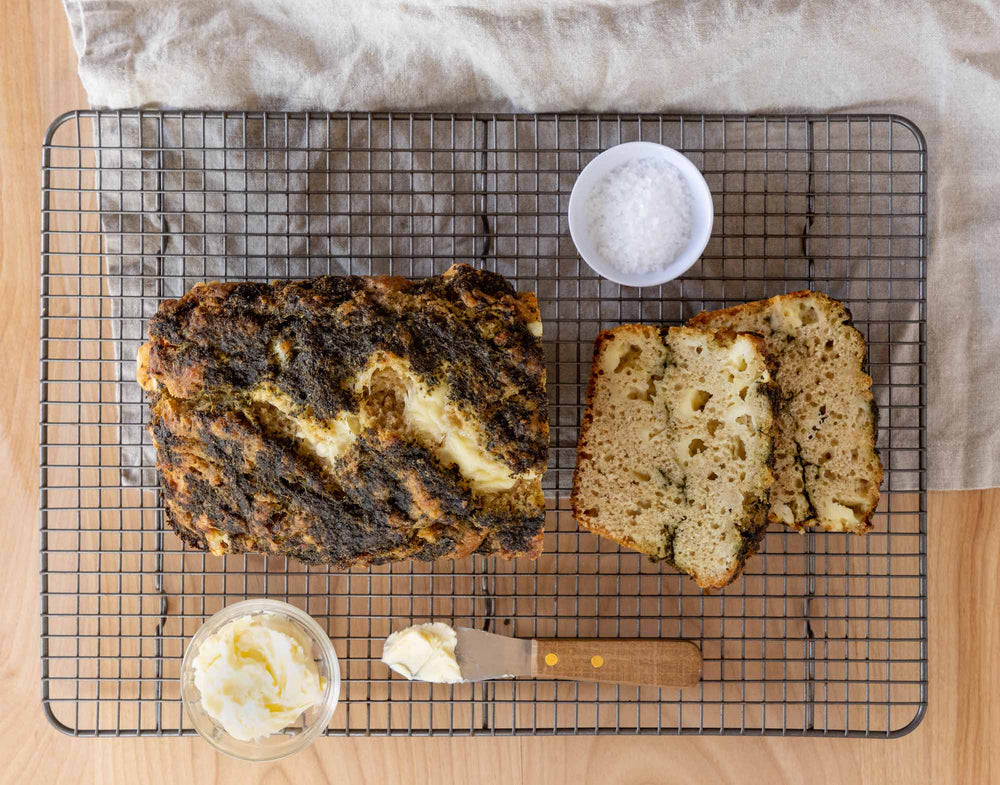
(269, 498)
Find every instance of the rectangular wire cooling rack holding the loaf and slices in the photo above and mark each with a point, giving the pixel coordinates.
(825, 634)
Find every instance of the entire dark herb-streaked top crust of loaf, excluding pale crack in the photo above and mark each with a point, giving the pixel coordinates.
(223, 468)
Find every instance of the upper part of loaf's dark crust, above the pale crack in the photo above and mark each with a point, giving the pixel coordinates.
(466, 328)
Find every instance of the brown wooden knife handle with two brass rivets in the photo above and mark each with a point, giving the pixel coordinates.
(641, 661)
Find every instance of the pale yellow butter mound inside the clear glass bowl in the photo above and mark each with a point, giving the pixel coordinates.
(256, 675)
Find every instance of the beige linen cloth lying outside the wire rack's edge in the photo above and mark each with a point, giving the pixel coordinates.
(937, 63)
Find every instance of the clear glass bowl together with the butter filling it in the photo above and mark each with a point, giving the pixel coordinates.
(260, 680)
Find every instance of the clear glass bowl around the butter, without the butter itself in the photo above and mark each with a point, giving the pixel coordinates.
(313, 721)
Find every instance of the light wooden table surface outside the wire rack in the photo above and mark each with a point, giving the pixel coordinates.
(958, 741)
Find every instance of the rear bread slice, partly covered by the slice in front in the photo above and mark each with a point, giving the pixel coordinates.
(827, 471)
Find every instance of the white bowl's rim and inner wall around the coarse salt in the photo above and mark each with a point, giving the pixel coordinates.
(702, 212)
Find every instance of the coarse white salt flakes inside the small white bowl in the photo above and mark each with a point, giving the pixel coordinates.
(640, 215)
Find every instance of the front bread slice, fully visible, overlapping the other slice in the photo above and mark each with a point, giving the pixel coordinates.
(675, 447)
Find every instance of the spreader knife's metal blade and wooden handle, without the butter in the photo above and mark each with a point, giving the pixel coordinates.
(639, 661)
